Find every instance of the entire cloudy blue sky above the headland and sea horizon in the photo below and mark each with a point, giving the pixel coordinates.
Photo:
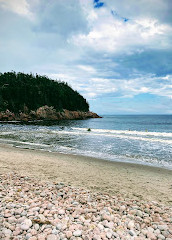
(117, 54)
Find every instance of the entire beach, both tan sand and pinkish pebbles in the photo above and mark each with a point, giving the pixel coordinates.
(57, 196)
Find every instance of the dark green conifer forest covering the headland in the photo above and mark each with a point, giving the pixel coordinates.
(20, 92)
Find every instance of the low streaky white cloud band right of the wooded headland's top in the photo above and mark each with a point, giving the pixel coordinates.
(95, 87)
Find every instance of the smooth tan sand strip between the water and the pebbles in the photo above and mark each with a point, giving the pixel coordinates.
(130, 180)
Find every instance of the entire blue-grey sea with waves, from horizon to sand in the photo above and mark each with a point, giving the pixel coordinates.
(142, 139)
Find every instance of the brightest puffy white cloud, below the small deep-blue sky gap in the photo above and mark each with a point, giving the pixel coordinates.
(114, 34)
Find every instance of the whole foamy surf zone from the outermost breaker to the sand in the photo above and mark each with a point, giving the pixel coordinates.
(158, 156)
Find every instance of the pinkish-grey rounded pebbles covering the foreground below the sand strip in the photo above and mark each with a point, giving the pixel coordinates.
(35, 210)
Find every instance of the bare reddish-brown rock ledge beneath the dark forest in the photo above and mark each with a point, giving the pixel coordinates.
(46, 113)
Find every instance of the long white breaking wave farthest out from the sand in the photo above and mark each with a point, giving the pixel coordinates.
(162, 137)
